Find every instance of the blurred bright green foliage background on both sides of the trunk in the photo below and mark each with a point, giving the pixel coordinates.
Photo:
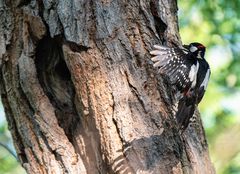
(215, 24)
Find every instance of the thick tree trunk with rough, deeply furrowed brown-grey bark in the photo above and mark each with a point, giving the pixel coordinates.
(81, 95)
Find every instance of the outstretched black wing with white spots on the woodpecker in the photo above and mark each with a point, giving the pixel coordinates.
(175, 63)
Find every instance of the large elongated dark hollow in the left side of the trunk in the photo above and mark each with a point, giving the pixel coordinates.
(55, 79)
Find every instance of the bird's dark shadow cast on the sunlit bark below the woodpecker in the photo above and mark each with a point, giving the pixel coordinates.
(154, 155)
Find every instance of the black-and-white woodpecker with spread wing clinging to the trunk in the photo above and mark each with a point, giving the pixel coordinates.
(188, 71)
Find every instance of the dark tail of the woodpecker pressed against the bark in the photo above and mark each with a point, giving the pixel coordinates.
(184, 112)
